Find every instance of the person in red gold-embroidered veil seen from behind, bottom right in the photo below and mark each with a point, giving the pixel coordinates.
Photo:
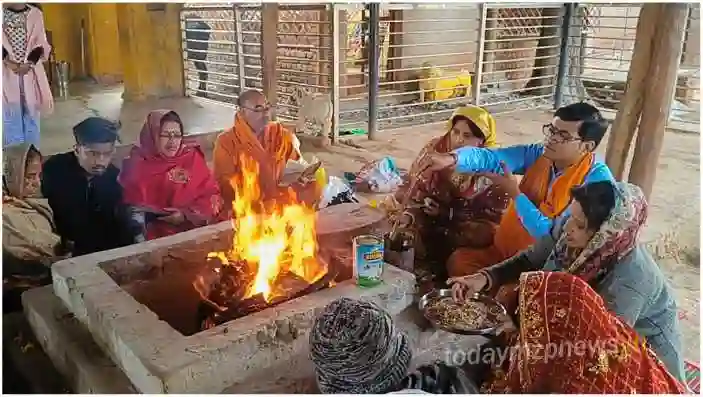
(567, 342)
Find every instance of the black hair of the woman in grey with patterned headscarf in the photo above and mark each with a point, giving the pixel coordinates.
(597, 199)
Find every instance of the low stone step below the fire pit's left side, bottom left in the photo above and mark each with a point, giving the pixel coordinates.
(70, 346)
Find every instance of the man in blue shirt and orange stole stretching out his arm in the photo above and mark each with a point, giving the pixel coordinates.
(549, 170)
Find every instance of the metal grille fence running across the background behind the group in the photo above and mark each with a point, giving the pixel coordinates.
(431, 58)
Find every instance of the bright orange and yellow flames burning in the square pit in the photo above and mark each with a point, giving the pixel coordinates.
(273, 237)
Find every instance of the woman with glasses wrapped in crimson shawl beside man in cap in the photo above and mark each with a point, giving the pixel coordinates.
(167, 179)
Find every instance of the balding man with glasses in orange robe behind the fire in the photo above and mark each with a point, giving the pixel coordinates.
(268, 144)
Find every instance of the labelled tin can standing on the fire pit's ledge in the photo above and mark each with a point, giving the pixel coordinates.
(368, 260)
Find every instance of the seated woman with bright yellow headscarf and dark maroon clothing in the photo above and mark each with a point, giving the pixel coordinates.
(449, 209)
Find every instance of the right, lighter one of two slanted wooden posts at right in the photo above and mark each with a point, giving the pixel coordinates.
(666, 53)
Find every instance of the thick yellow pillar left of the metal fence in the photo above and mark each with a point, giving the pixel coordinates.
(150, 49)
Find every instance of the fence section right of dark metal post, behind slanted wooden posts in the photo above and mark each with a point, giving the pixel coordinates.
(604, 49)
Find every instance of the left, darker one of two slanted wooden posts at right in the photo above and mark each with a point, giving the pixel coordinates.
(623, 129)
